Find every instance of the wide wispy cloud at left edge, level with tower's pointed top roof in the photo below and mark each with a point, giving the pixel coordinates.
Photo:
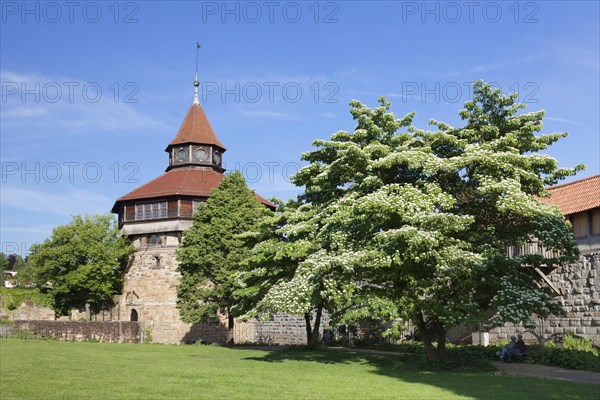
(68, 110)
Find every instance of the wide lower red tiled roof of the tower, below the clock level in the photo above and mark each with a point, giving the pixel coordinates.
(186, 182)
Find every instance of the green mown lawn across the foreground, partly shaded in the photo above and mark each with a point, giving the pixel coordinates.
(68, 370)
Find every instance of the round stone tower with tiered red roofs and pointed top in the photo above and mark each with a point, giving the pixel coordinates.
(153, 217)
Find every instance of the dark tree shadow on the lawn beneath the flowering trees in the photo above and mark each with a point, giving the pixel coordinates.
(476, 379)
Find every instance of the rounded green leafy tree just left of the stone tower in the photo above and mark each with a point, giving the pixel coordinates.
(82, 262)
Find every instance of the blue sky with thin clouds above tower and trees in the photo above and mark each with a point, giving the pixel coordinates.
(92, 92)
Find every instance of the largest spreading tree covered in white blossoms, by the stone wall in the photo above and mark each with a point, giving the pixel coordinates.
(411, 224)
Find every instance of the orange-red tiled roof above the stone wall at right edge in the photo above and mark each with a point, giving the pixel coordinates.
(577, 196)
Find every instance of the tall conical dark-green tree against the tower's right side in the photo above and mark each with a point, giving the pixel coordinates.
(213, 250)
